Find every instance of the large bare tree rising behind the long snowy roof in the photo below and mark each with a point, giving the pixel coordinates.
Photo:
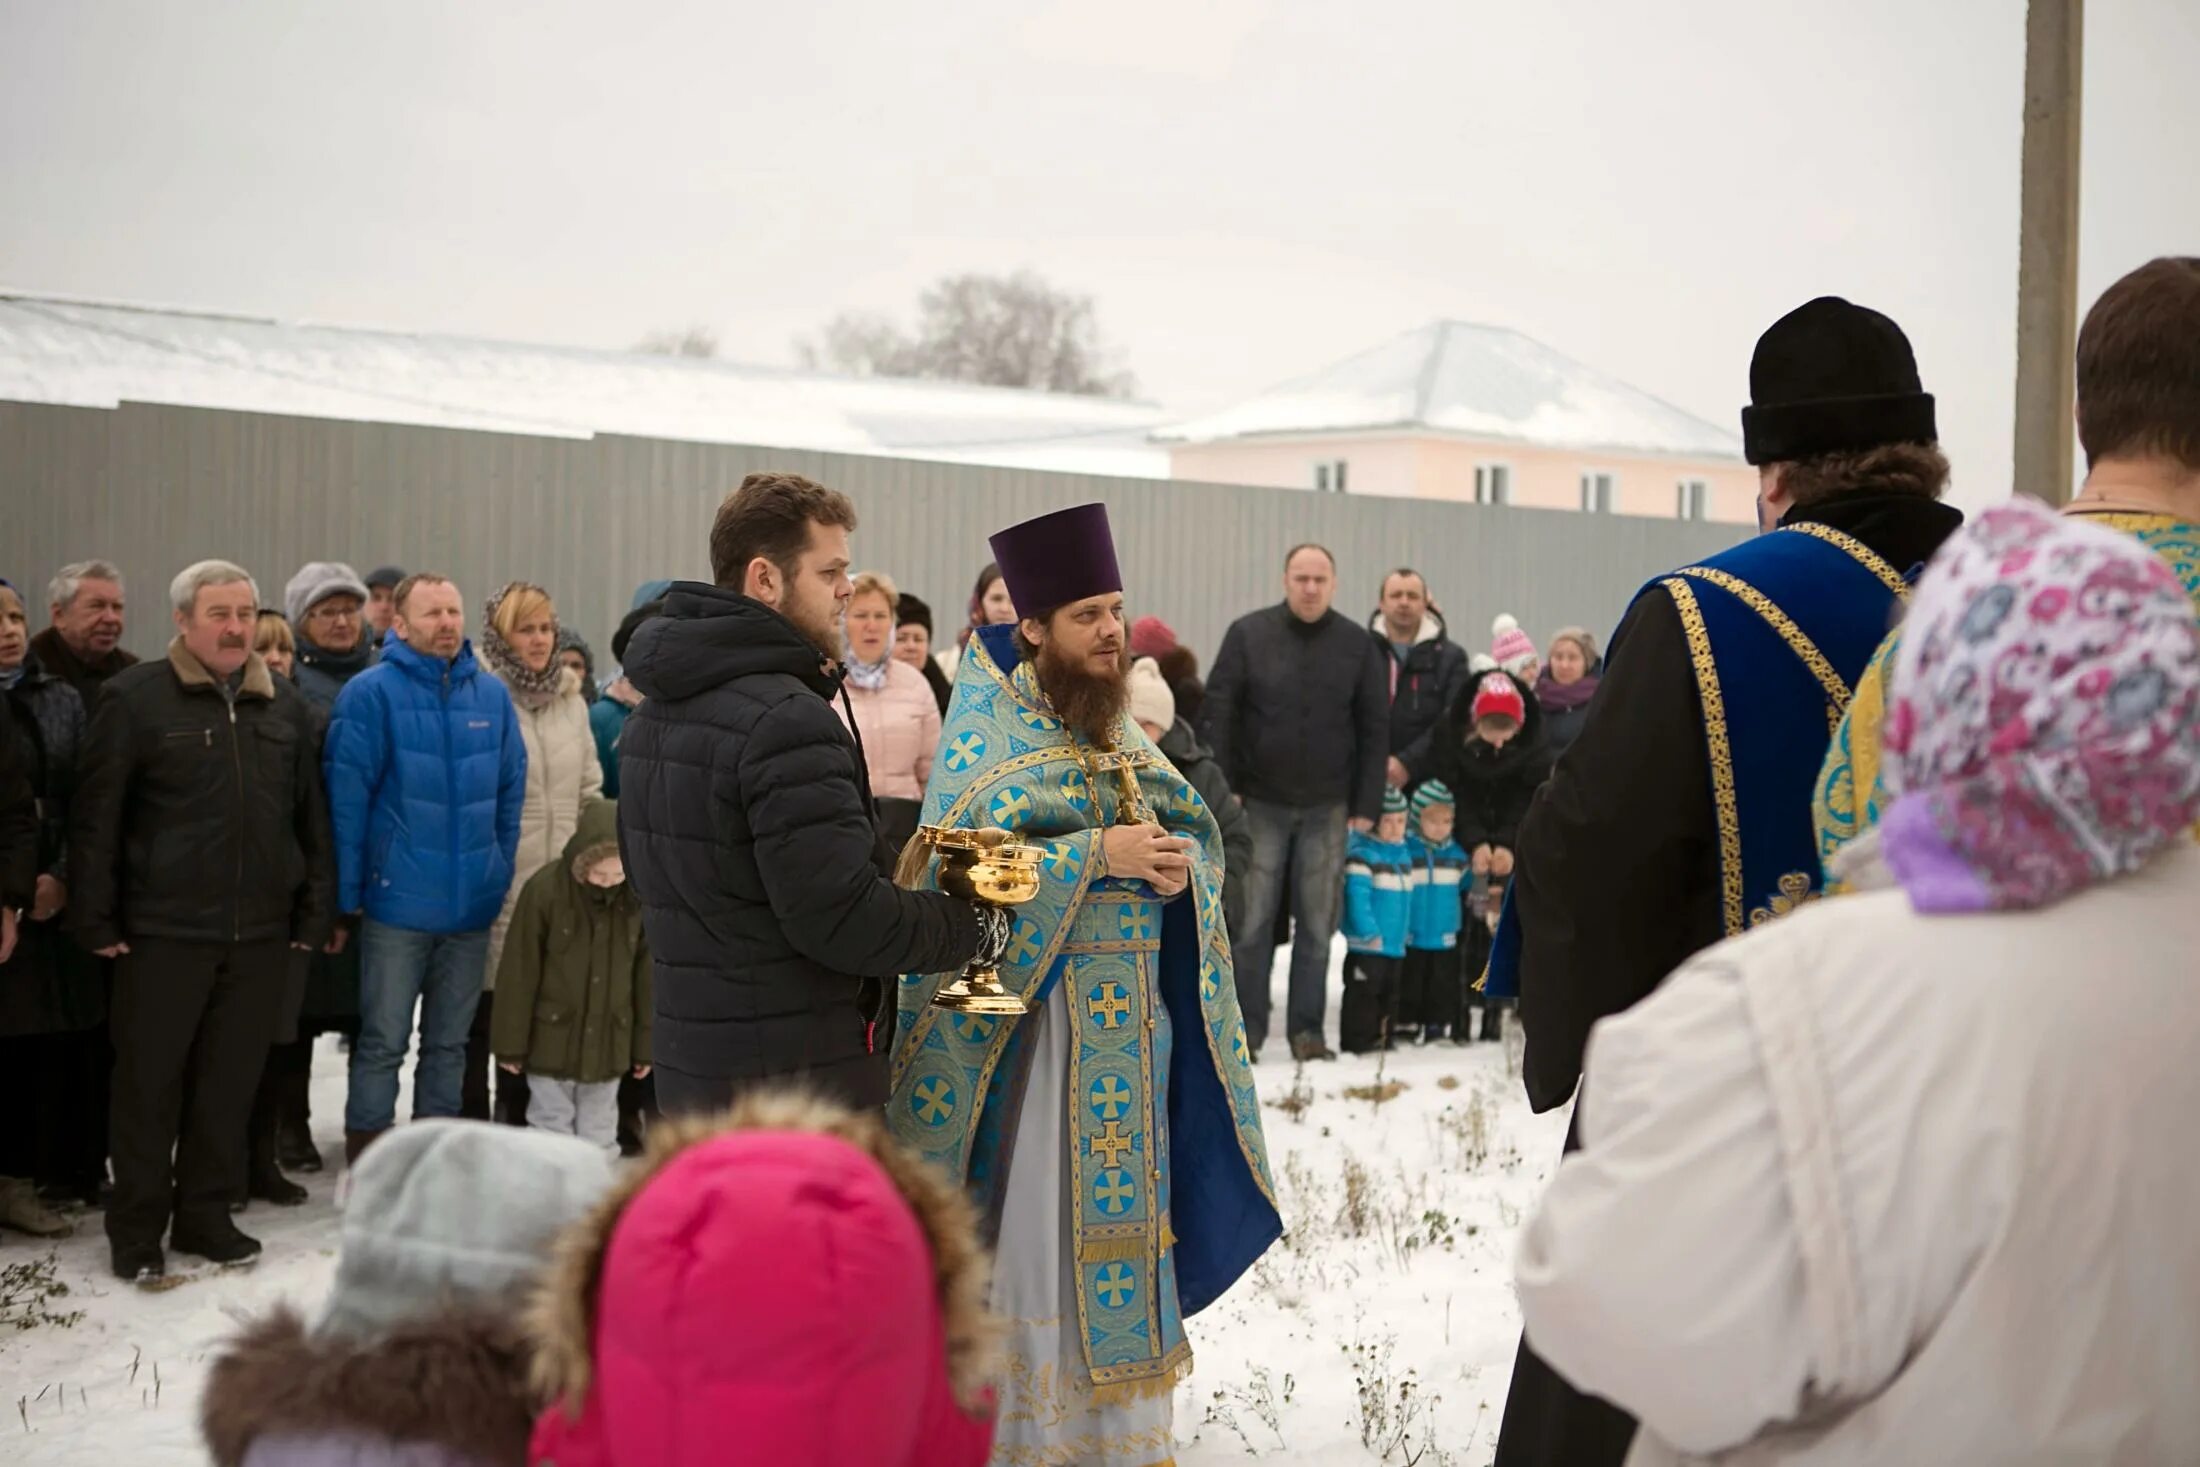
(1006, 331)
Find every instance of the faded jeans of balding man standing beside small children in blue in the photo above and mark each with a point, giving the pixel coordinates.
(1299, 850)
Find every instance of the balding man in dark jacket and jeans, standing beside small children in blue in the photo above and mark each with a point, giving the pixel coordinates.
(1299, 712)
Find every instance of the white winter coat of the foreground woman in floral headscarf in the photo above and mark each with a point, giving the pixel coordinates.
(1867, 1187)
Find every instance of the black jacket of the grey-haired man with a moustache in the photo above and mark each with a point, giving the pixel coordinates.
(199, 819)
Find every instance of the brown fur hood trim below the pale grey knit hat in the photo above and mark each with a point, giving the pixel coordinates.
(456, 1385)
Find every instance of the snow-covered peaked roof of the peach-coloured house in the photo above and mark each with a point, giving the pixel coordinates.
(1477, 382)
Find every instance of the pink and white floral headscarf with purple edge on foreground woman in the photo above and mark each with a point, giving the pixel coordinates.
(2045, 720)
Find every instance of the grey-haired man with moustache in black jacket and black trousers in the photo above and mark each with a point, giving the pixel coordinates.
(199, 857)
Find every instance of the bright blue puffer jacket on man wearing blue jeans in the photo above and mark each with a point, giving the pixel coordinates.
(426, 782)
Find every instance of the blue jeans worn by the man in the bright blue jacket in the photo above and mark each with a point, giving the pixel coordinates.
(441, 975)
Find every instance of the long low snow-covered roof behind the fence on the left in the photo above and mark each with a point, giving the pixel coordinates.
(100, 355)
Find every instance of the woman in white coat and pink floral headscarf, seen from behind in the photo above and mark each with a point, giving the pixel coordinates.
(1908, 1176)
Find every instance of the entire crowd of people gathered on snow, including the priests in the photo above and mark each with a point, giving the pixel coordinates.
(1847, 945)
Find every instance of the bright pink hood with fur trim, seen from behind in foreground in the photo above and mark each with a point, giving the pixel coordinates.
(742, 1246)
